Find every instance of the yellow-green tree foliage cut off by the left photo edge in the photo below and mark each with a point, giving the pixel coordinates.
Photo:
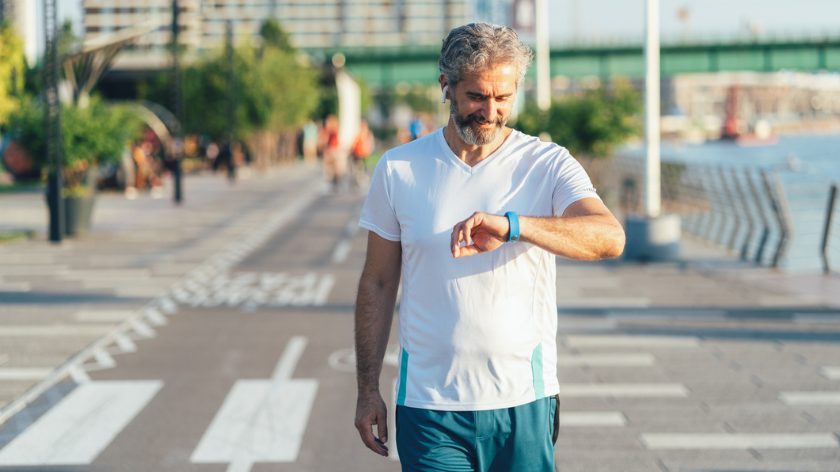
(12, 72)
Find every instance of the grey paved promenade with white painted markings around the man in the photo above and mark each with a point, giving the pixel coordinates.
(182, 319)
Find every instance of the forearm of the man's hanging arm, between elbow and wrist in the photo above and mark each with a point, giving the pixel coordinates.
(374, 314)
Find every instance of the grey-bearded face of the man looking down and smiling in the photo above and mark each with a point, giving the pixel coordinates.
(481, 103)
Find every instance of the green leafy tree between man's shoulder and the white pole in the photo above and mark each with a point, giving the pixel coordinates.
(591, 124)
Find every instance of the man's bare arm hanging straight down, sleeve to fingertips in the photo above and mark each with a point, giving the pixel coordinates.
(374, 313)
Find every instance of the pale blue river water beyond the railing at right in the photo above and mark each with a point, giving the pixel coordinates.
(806, 165)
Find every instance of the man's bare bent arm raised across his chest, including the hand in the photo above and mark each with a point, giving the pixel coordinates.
(586, 231)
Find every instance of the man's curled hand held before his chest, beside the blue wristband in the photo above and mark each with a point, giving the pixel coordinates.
(481, 232)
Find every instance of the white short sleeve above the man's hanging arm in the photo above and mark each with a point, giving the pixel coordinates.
(378, 213)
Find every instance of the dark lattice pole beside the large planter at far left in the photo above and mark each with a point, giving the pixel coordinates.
(52, 123)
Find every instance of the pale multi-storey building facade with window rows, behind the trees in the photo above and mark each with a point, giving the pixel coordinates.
(311, 24)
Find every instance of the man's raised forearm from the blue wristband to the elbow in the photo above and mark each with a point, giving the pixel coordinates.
(589, 237)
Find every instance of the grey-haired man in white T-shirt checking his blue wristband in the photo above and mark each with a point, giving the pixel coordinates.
(471, 216)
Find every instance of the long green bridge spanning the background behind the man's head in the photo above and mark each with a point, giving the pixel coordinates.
(389, 67)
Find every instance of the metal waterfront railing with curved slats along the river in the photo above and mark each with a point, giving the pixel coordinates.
(768, 217)
